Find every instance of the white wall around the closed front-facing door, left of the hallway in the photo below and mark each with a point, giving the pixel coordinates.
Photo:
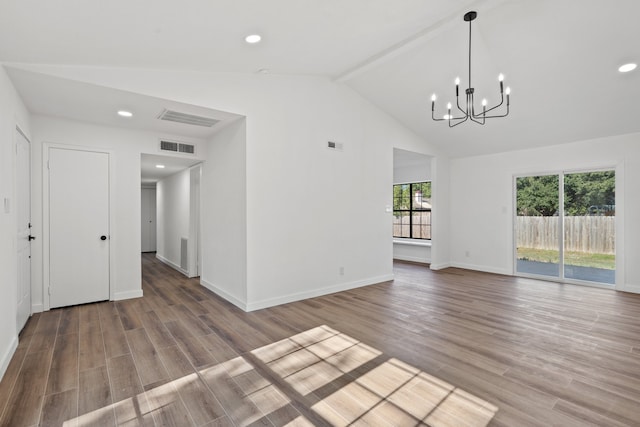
(126, 146)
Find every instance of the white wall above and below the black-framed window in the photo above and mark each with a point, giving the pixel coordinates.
(409, 168)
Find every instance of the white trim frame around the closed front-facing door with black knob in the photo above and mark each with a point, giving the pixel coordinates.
(46, 146)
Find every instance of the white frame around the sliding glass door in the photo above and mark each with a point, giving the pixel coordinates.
(618, 168)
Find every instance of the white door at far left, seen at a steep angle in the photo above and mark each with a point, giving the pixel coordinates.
(23, 214)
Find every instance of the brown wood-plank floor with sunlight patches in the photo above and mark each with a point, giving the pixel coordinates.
(449, 348)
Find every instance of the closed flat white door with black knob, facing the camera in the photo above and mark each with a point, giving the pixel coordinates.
(78, 226)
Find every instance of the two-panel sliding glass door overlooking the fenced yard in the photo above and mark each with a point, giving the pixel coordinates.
(565, 226)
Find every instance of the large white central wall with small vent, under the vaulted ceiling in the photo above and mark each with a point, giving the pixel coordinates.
(289, 169)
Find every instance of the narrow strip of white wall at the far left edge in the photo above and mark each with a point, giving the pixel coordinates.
(12, 113)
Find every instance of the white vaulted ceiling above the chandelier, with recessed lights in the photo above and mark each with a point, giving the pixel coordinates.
(559, 56)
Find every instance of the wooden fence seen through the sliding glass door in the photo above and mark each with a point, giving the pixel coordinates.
(591, 234)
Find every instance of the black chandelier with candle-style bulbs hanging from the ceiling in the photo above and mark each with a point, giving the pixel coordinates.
(469, 112)
